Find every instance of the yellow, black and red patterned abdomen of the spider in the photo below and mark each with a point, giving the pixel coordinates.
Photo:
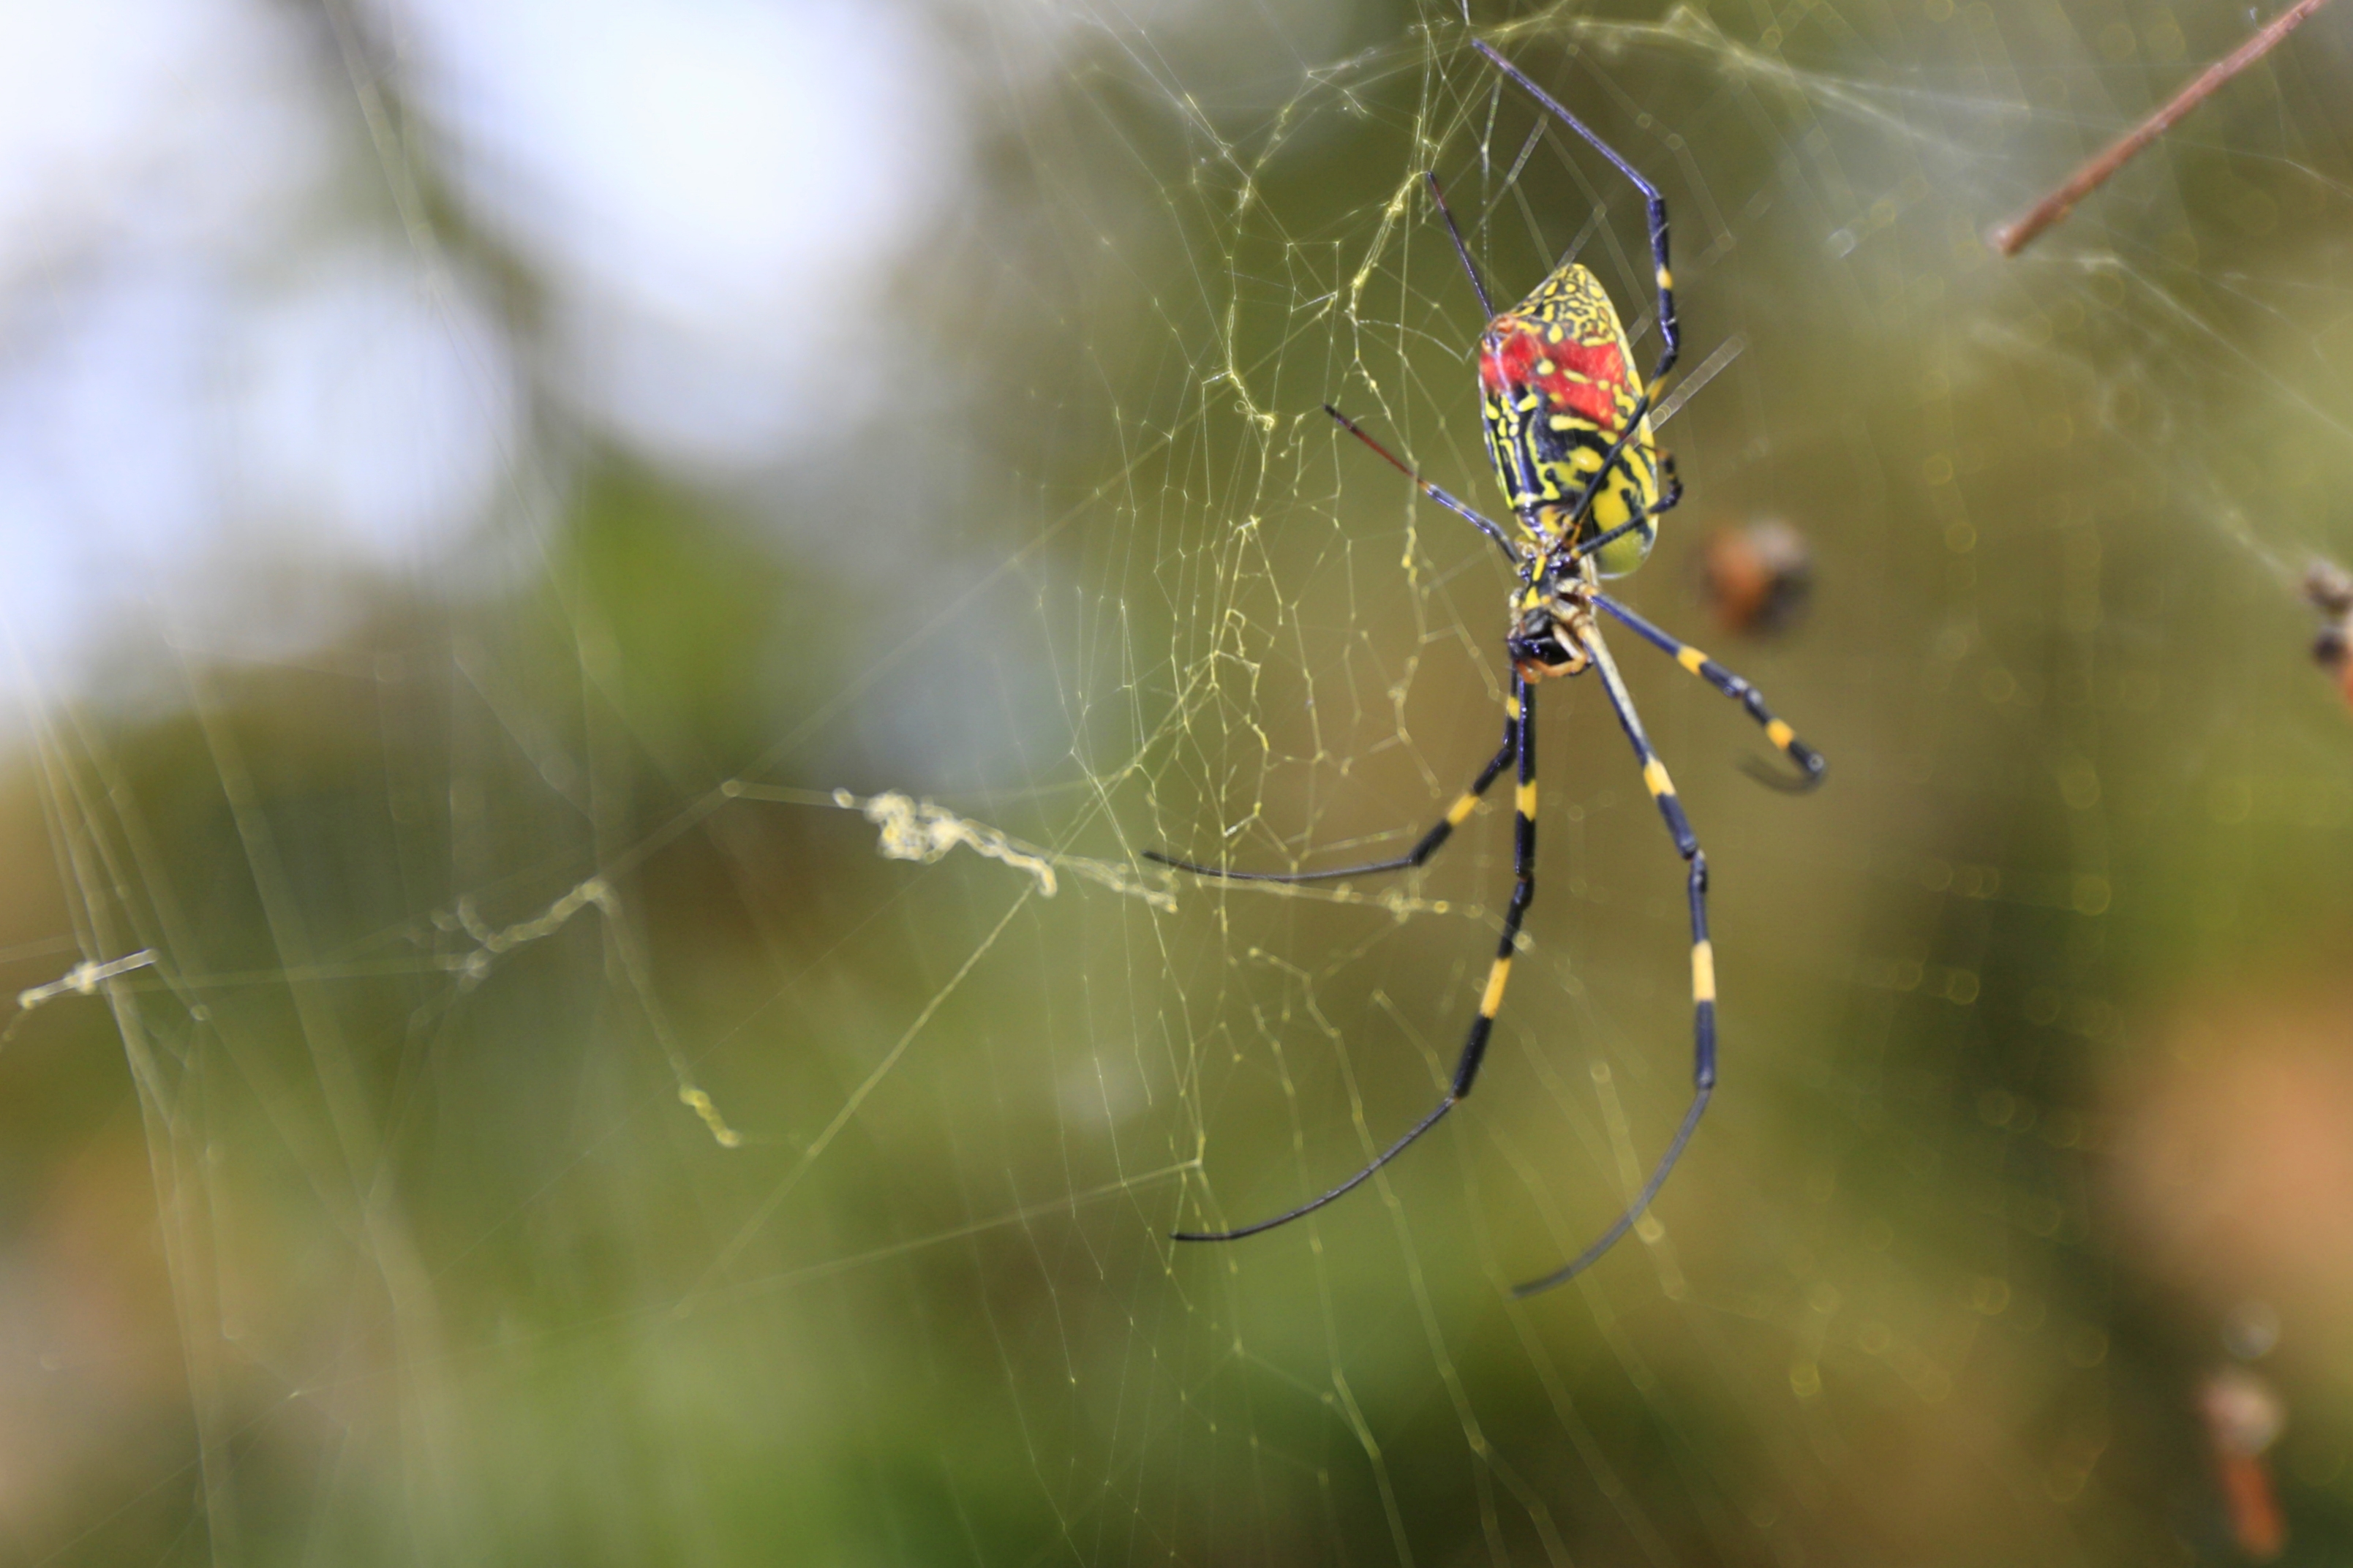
(1559, 390)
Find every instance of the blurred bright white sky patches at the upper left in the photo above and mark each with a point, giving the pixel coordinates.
(227, 364)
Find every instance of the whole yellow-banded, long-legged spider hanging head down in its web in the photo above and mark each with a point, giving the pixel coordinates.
(1568, 430)
